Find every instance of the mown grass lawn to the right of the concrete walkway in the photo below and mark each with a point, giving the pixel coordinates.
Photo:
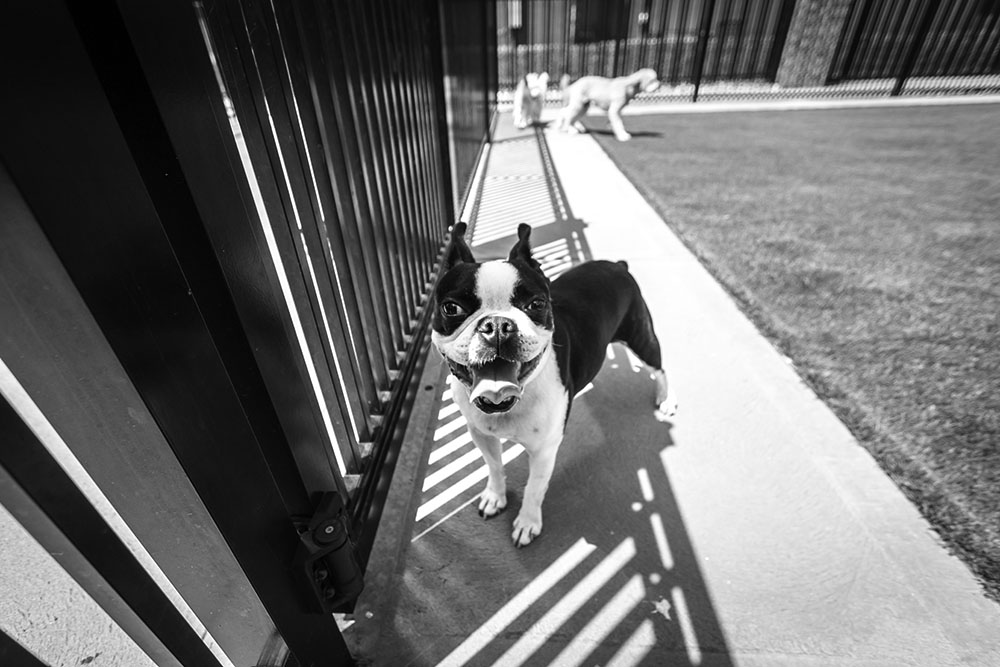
(866, 244)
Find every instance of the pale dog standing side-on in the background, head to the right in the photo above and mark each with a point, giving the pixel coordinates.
(609, 94)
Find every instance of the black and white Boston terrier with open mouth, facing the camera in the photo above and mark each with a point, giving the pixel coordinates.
(520, 347)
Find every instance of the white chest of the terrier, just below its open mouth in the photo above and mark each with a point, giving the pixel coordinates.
(536, 419)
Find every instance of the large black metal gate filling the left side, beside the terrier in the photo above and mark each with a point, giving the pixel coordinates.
(220, 225)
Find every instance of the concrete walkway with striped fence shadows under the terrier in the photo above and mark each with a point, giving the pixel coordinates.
(752, 531)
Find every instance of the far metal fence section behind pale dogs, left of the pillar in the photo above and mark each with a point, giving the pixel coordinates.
(685, 41)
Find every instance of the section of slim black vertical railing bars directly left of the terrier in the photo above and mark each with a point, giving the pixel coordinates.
(338, 107)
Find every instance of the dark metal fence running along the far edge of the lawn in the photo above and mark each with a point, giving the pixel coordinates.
(724, 49)
